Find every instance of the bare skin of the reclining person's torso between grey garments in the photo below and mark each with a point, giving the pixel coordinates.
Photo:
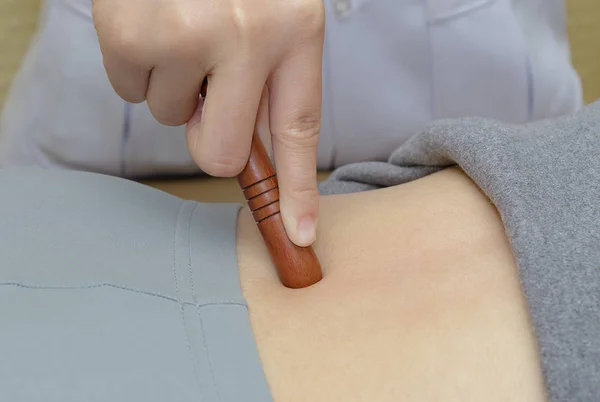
(421, 301)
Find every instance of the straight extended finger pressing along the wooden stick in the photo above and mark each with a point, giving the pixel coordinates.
(295, 122)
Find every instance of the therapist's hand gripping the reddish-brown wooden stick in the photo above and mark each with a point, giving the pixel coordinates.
(161, 50)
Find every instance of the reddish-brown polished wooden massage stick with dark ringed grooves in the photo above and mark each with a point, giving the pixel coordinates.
(297, 267)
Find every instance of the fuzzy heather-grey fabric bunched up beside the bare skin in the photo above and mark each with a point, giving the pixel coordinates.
(544, 179)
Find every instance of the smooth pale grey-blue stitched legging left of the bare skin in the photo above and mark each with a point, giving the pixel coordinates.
(113, 291)
